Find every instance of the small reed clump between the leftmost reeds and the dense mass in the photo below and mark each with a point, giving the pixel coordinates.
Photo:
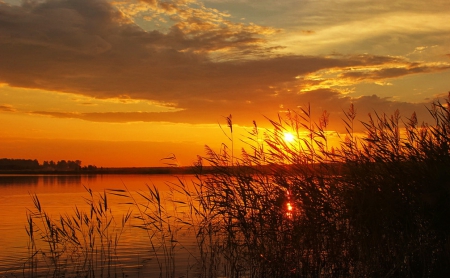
(158, 216)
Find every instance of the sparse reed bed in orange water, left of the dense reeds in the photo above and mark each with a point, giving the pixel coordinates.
(86, 243)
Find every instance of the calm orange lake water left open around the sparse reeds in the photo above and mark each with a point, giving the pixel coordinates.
(59, 194)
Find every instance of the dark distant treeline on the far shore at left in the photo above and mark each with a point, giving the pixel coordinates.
(33, 164)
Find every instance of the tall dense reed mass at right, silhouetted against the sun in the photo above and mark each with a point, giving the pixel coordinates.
(375, 206)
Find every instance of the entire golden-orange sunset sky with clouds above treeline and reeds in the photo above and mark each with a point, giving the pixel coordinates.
(127, 83)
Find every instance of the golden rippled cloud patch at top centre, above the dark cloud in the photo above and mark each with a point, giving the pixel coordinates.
(198, 28)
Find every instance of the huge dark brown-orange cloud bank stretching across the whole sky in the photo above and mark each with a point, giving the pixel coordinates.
(203, 64)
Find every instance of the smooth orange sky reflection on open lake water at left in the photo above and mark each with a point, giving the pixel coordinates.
(59, 194)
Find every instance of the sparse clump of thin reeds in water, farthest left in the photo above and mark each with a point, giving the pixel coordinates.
(81, 245)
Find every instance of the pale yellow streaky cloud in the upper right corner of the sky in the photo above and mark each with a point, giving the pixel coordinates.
(380, 27)
